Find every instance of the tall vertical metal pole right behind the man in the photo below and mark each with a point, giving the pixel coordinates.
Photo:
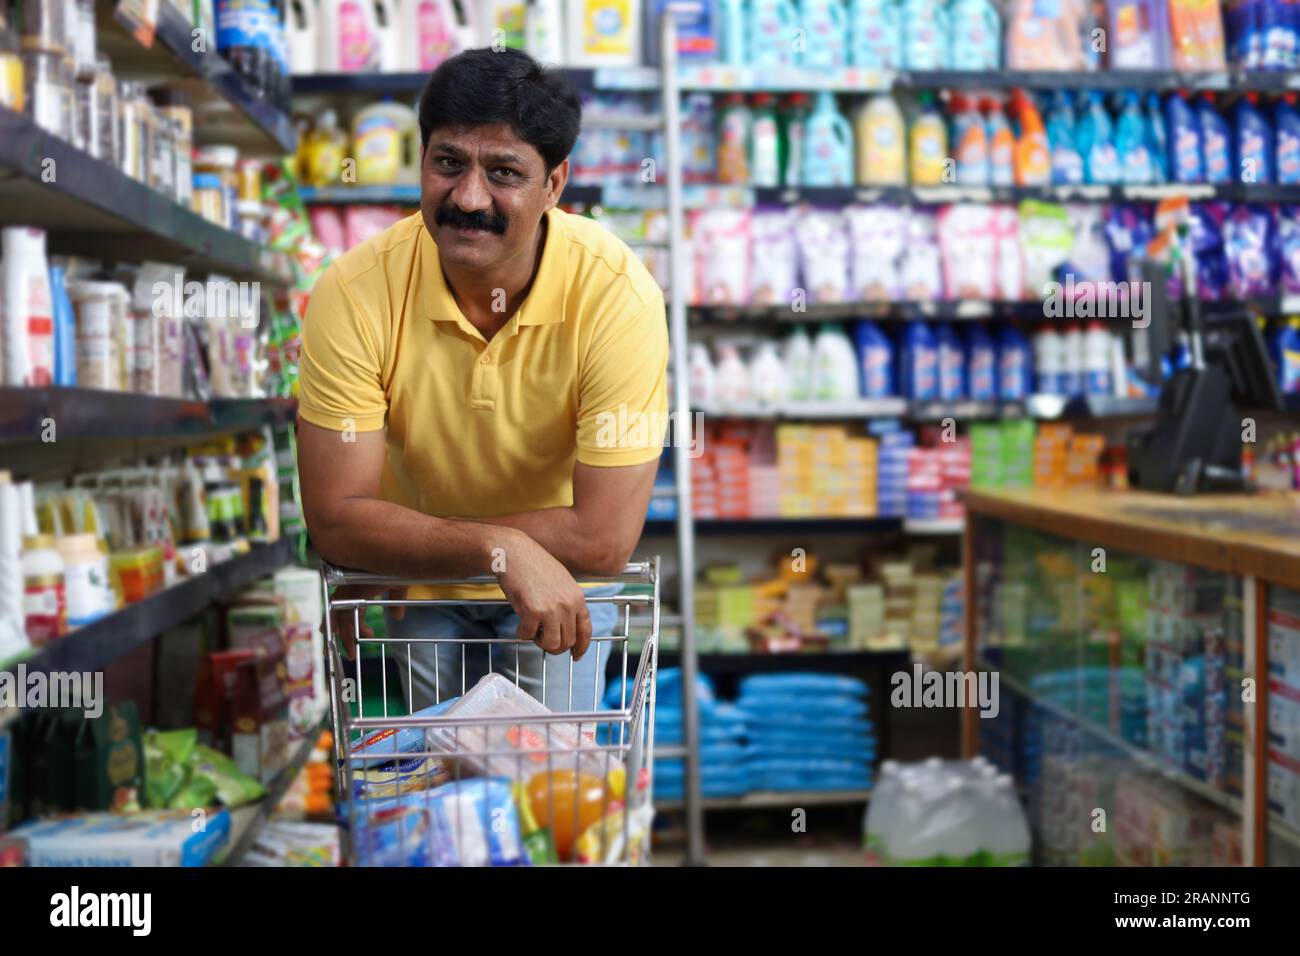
(682, 436)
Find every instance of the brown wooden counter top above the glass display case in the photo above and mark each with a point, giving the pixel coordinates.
(1247, 535)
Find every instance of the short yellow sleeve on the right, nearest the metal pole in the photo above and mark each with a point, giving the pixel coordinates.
(623, 390)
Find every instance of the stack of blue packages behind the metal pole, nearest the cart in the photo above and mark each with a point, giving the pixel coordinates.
(723, 768)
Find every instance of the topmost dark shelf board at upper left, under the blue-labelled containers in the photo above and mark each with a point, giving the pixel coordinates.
(228, 110)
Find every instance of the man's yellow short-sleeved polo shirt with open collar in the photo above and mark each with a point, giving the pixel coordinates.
(479, 429)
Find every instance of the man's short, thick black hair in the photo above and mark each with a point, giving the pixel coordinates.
(483, 86)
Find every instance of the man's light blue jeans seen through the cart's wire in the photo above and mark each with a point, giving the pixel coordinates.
(448, 671)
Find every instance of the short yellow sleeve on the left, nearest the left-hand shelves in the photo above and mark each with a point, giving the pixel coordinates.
(341, 366)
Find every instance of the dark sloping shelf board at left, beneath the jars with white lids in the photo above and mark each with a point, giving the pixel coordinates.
(97, 646)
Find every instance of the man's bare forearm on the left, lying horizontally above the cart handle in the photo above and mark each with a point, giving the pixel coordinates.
(391, 539)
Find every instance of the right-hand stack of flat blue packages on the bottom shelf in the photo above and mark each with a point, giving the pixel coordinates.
(808, 732)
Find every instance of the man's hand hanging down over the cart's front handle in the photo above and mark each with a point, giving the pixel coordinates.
(551, 605)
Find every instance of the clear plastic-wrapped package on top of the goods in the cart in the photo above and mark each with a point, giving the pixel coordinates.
(519, 750)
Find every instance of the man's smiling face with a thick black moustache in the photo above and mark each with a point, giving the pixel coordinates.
(483, 192)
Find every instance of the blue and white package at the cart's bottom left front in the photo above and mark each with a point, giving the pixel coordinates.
(470, 823)
